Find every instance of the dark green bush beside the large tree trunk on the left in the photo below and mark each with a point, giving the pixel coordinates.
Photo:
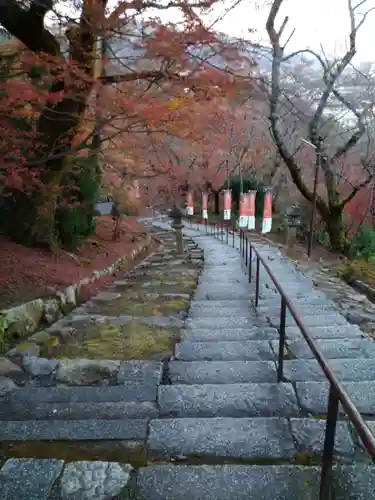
(75, 216)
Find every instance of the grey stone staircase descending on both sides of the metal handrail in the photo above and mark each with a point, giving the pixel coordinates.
(229, 429)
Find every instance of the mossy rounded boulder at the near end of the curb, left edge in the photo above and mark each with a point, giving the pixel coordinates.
(24, 319)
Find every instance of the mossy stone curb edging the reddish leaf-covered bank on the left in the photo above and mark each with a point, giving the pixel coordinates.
(27, 318)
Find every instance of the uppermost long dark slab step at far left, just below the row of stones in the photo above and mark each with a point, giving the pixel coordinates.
(89, 394)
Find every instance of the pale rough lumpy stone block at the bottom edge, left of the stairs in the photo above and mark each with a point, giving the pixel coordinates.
(93, 480)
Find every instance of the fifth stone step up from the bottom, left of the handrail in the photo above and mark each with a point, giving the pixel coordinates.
(221, 351)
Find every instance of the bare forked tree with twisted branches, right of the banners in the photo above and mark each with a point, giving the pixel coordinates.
(316, 122)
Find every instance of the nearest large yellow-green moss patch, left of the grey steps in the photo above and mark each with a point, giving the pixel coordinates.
(108, 341)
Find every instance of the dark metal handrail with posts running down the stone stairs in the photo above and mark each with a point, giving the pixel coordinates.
(337, 393)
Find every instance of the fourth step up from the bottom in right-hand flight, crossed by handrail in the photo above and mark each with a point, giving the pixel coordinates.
(303, 370)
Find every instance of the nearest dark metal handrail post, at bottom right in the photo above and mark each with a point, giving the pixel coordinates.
(329, 445)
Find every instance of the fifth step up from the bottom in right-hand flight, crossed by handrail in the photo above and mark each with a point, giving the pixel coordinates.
(331, 348)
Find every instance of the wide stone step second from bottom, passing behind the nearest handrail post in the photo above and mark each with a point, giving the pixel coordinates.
(243, 438)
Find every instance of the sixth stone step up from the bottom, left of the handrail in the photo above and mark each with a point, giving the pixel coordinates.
(239, 334)
